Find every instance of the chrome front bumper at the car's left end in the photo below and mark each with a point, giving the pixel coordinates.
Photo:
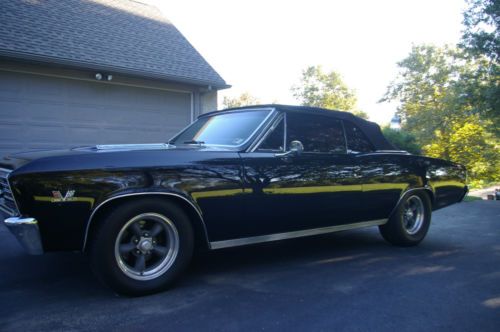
(27, 233)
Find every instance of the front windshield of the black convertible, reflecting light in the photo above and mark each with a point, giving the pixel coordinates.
(228, 129)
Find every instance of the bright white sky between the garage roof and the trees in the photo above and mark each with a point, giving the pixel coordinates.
(261, 47)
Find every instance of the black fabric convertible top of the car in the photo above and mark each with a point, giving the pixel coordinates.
(371, 129)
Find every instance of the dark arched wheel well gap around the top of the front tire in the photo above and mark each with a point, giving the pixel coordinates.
(201, 237)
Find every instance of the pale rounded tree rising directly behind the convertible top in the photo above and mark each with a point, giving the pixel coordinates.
(326, 90)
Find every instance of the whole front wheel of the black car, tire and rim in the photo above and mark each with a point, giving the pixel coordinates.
(119, 271)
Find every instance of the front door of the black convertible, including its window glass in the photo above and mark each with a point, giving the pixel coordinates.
(317, 188)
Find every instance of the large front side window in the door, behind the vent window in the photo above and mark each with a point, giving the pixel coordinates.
(316, 132)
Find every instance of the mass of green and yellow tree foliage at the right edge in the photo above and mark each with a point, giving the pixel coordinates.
(450, 97)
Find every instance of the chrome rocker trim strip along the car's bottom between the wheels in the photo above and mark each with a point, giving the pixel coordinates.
(291, 235)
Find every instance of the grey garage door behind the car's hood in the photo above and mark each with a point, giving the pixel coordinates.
(41, 112)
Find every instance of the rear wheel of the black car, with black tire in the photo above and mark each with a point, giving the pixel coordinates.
(399, 231)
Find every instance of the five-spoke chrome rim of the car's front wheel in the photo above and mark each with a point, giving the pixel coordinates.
(147, 246)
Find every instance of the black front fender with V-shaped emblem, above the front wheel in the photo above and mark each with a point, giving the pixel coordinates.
(64, 203)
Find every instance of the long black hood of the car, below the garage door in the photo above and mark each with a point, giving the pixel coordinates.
(117, 156)
